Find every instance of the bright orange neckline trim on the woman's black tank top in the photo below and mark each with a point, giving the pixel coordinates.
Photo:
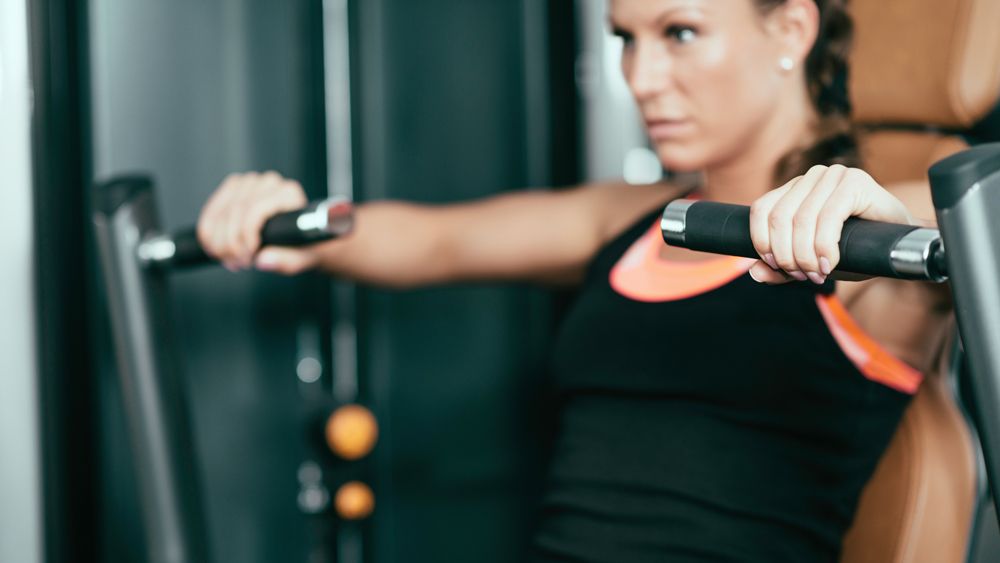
(641, 274)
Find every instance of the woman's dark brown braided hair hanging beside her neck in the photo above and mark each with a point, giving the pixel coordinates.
(826, 77)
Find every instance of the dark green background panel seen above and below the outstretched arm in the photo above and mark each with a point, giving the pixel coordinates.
(455, 374)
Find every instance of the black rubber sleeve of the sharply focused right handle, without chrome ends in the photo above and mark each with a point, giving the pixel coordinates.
(721, 228)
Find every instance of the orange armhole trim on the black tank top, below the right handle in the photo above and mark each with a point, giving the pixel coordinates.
(874, 361)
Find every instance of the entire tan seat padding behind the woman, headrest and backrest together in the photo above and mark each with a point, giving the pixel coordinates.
(935, 63)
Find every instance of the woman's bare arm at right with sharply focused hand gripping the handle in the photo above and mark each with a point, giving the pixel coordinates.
(796, 228)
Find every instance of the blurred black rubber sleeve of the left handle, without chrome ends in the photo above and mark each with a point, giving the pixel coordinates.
(280, 230)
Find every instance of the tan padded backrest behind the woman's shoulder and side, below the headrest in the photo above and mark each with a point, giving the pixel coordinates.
(919, 505)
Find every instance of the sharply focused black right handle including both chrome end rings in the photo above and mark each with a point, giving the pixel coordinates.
(868, 248)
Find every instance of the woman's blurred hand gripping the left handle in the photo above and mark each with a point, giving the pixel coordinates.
(231, 221)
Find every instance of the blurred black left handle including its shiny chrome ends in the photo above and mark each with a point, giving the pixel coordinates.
(317, 222)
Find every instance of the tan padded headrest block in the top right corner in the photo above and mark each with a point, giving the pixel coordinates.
(925, 61)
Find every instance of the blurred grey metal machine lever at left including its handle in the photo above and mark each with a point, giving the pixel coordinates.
(136, 258)
